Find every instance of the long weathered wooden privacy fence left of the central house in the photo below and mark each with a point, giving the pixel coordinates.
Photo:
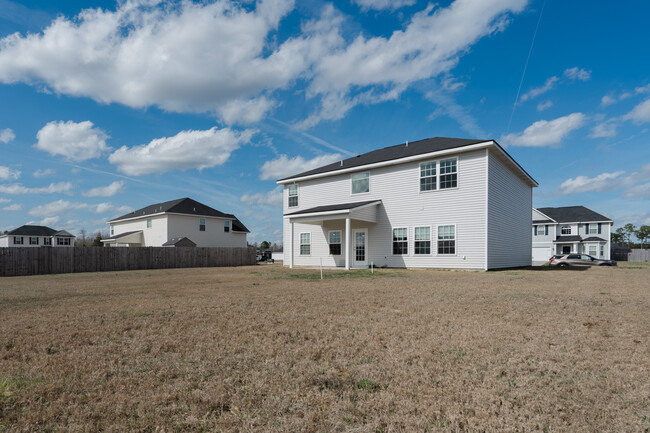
(52, 260)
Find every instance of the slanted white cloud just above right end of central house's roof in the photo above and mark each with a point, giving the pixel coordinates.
(546, 132)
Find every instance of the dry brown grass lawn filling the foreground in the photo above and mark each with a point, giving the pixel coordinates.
(257, 349)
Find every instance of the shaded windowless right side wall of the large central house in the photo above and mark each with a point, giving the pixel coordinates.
(509, 216)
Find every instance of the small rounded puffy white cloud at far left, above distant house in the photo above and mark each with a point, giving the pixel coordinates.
(75, 141)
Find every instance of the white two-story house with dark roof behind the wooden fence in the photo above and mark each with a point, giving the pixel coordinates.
(182, 222)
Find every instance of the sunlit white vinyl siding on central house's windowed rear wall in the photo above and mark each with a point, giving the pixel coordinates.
(402, 205)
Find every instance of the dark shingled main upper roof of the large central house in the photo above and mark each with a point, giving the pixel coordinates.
(393, 152)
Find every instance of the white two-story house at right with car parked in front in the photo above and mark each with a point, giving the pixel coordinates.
(571, 229)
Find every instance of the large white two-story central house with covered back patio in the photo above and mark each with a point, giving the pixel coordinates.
(434, 203)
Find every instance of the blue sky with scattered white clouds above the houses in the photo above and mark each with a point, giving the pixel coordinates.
(112, 106)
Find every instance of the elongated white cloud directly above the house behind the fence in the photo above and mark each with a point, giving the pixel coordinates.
(186, 150)
